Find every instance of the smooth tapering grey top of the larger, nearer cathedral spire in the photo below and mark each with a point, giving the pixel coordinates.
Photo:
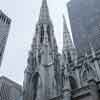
(44, 12)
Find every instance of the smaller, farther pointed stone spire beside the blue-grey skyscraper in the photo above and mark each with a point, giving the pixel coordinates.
(67, 41)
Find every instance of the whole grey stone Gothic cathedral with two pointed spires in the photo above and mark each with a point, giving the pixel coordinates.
(50, 75)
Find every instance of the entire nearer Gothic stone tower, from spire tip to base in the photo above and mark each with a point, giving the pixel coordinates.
(42, 75)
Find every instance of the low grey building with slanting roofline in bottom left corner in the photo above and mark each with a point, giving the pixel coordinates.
(9, 90)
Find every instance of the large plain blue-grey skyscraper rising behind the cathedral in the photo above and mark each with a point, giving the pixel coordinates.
(84, 18)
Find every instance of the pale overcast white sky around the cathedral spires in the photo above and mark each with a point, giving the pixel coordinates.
(24, 15)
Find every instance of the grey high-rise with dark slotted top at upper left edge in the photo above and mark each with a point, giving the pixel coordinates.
(5, 23)
